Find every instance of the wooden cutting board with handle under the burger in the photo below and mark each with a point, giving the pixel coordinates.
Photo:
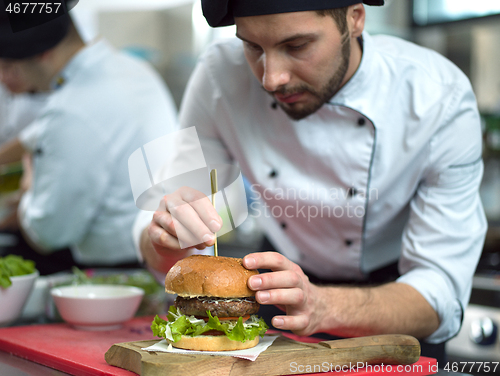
(284, 357)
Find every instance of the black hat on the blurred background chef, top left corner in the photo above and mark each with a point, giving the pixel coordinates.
(24, 34)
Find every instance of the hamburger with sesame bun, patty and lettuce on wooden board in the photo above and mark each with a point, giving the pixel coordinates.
(214, 309)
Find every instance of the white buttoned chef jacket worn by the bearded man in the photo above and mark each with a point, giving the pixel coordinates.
(393, 163)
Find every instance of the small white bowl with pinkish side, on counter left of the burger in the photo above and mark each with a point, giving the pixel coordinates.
(97, 307)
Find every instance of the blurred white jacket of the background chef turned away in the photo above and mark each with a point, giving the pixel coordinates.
(109, 105)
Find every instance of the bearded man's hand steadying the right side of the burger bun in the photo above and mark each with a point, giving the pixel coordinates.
(288, 288)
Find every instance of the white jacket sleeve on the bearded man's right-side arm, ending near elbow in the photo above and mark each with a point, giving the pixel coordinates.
(445, 233)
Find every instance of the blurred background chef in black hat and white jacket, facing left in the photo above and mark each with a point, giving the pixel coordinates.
(102, 105)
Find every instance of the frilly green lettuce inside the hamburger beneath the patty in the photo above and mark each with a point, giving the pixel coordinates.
(179, 325)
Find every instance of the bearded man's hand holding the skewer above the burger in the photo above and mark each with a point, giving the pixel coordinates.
(184, 219)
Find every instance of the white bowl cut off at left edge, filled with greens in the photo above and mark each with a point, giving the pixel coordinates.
(13, 298)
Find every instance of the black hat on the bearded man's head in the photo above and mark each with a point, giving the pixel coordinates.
(222, 12)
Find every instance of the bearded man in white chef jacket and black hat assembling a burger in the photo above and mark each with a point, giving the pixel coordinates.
(385, 138)
